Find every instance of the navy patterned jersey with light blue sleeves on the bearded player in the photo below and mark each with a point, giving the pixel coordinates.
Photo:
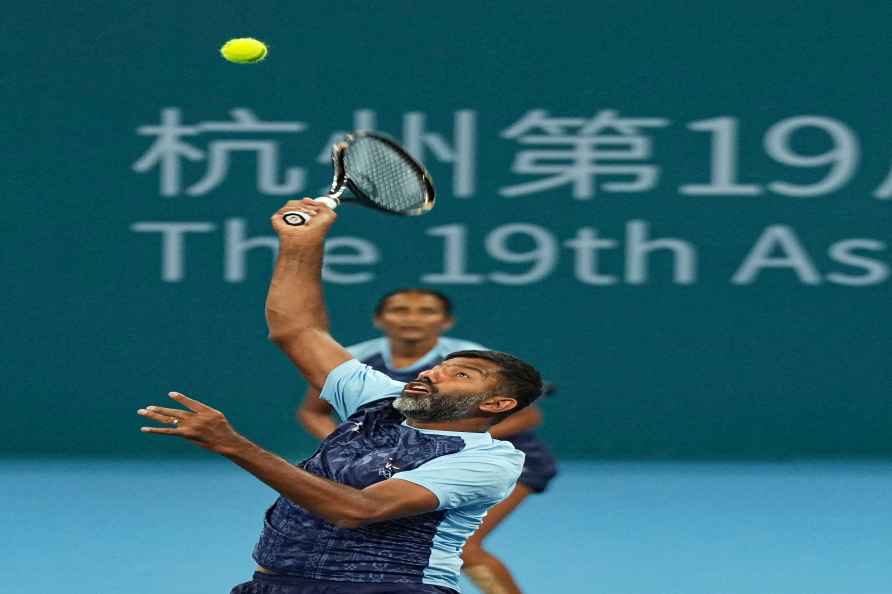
(468, 473)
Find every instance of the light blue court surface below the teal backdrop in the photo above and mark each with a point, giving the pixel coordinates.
(88, 527)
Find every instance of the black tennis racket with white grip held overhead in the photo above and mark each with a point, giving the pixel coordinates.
(378, 173)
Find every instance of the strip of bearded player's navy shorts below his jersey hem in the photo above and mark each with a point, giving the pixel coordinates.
(285, 584)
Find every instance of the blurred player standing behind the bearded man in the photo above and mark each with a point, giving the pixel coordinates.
(413, 322)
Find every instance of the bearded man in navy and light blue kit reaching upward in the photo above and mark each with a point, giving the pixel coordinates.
(387, 501)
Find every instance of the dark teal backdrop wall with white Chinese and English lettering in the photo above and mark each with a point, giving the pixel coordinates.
(679, 211)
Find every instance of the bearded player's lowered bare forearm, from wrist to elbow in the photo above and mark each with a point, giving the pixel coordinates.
(336, 503)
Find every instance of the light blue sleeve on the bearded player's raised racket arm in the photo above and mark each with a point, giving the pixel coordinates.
(352, 384)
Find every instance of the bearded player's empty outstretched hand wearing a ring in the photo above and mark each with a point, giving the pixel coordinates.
(200, 424)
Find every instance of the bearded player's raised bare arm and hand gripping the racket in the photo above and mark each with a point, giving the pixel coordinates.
(295, 309)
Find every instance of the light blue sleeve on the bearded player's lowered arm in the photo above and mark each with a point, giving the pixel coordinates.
(469, 478)
